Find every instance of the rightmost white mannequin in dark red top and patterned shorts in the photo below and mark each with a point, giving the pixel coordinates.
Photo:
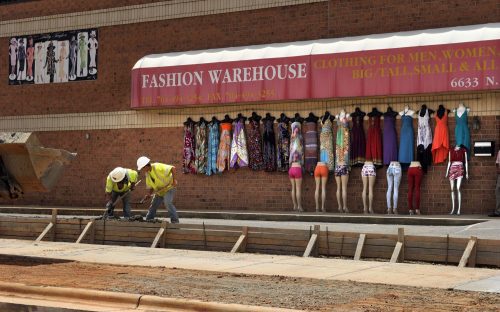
(457, 157)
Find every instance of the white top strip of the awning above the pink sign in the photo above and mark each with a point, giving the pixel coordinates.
(428, 37)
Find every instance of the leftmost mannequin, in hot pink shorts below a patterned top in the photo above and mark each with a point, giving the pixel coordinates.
(296, 161)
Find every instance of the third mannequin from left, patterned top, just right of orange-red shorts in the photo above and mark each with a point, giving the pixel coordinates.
(342, 159)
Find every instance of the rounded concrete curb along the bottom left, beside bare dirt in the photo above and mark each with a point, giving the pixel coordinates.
(122, 300)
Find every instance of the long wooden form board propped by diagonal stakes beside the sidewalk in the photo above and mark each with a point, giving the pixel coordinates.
(260, 240)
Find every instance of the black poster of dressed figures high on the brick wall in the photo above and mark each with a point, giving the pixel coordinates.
(53, 58)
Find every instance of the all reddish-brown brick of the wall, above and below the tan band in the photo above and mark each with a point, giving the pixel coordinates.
(121, 46)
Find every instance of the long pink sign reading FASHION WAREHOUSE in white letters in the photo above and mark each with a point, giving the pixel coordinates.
(468, 66)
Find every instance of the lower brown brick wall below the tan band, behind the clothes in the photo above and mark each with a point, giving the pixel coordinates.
(243, 189)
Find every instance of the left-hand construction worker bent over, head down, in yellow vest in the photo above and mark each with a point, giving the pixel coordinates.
(119, 183)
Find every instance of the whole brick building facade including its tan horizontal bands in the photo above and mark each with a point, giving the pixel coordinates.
(94, 119)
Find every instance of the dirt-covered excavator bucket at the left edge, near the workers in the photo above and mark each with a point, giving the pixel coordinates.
(26, 166)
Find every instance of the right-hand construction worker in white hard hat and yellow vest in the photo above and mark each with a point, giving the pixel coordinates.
(161, 183)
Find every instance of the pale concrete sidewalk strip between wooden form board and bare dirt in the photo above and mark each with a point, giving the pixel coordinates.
(417, 275)
